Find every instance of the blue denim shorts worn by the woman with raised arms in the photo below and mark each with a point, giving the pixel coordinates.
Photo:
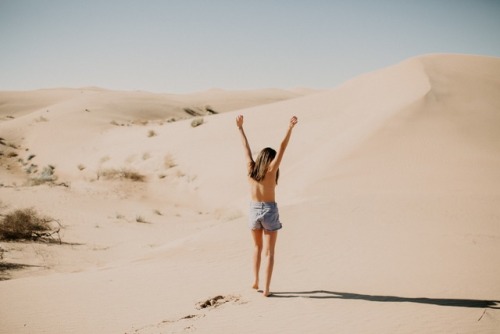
(264, 215)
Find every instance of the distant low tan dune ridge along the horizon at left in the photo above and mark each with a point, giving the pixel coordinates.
(137, 105)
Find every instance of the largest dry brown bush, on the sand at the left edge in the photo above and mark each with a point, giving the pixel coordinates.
(22, 224)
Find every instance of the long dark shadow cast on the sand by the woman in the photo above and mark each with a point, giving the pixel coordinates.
(323, 294)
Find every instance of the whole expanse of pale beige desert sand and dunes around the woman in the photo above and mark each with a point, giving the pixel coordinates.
(388, 194)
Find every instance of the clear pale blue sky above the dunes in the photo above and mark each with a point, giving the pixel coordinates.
(179, 46)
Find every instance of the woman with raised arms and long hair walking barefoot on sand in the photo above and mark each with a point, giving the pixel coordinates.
(264, 216)
